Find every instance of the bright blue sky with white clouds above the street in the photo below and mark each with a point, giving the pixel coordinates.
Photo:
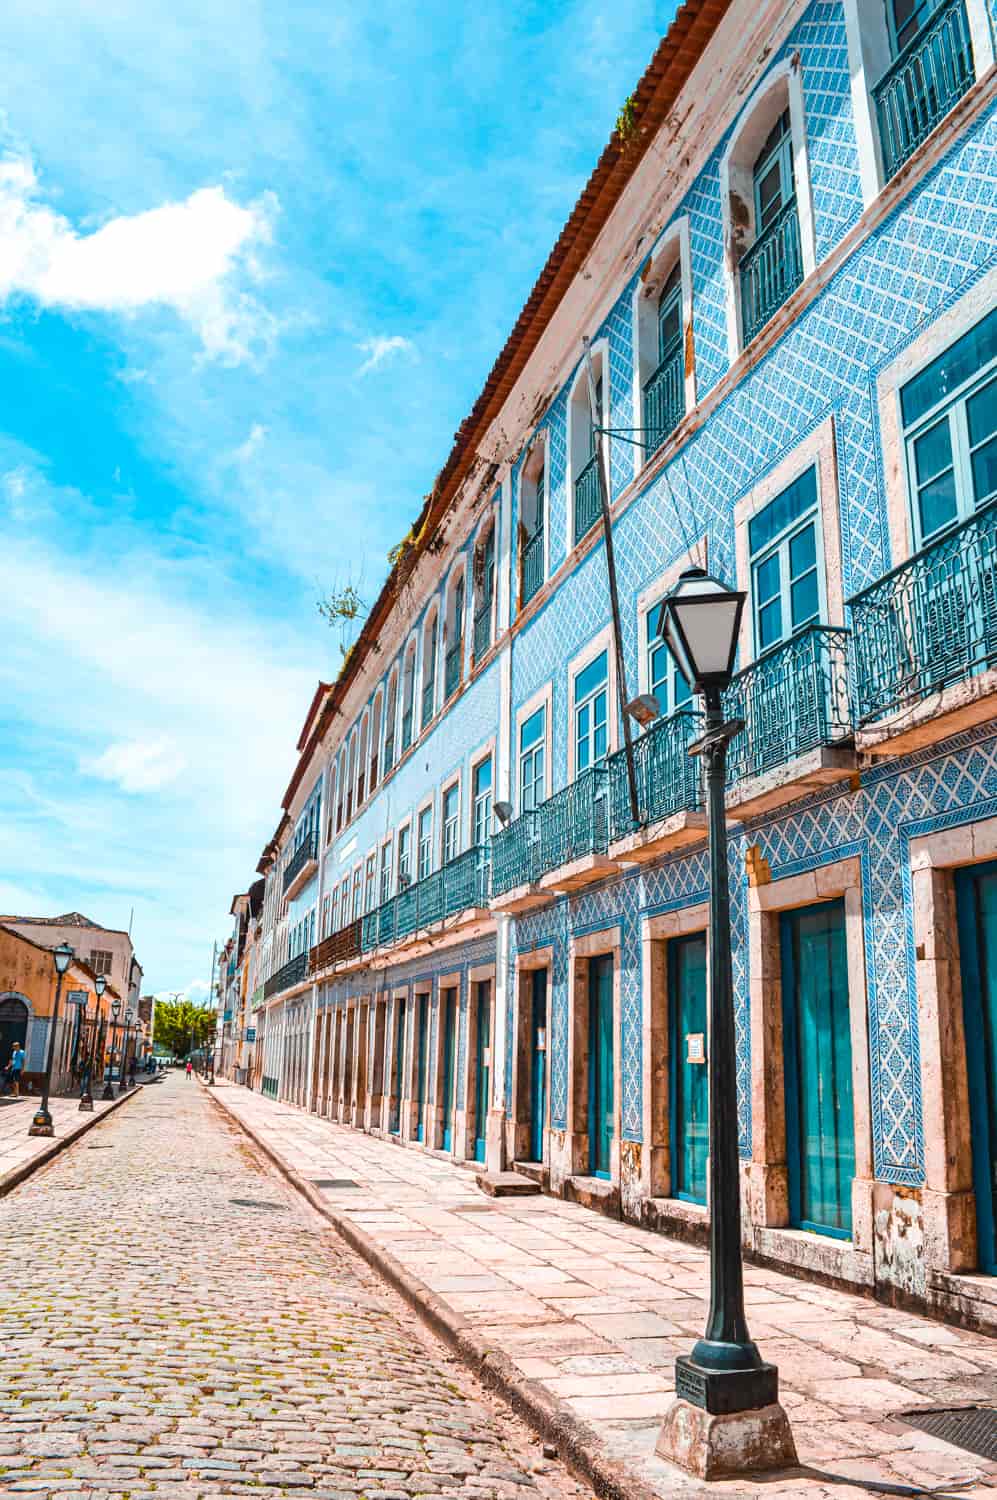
(256, 262)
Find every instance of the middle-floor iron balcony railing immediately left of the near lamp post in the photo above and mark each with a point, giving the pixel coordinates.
(668, 776)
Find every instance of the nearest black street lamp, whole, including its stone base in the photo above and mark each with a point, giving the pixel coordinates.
(725, 1382)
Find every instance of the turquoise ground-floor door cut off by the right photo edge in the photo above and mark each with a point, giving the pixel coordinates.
(977, 905)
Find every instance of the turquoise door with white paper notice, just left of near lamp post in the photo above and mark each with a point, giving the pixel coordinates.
(690, 1070)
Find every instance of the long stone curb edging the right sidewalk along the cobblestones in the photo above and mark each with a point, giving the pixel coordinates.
(578, 1445)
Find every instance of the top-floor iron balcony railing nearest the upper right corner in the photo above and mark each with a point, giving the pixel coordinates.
(927, 80)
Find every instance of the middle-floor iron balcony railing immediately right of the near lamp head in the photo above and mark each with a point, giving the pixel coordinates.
(792, 700)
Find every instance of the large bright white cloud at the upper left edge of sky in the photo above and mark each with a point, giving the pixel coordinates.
(194, 257)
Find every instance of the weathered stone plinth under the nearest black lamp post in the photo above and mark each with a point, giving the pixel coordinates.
(713, 1445)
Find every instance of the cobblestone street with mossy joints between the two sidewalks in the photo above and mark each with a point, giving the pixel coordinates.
(176, 1322)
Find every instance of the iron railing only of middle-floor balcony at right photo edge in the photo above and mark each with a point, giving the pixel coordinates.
(930, 622)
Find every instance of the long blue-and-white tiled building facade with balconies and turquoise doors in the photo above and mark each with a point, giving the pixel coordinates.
(470, 943)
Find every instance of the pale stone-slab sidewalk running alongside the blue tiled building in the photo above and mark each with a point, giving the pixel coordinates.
(590, 1315)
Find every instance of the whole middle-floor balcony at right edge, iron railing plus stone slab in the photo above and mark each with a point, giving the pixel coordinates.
(926, 641)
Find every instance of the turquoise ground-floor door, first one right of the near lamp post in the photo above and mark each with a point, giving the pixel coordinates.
(818, 1052)
